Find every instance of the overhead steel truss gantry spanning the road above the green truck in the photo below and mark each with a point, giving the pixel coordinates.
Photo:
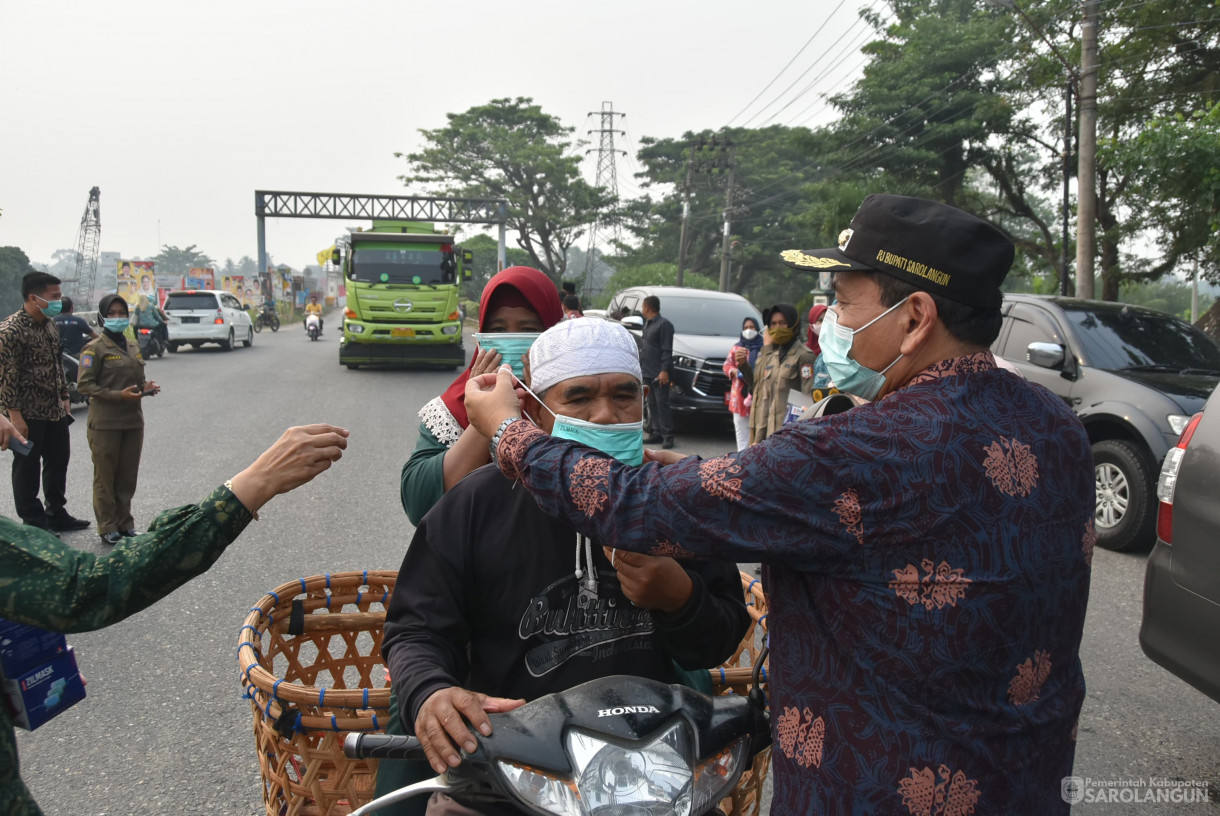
(278, 204)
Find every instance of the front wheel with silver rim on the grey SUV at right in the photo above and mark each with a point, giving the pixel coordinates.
(1125, 514)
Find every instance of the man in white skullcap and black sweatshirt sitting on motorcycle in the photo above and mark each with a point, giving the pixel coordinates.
(497, 603)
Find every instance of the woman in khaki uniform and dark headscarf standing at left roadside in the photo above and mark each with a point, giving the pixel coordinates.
(113, 375)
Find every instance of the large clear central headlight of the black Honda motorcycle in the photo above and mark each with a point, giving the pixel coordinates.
(620, 781)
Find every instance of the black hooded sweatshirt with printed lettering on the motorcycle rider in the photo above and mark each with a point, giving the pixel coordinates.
(487, 599)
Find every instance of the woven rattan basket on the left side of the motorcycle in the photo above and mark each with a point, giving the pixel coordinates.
(312, 665)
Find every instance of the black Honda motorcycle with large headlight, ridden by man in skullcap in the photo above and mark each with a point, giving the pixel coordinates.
(615, 745)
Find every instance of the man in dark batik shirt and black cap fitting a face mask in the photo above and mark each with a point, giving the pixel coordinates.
(928, 554)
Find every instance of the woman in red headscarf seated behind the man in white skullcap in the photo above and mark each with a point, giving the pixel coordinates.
(519, 301)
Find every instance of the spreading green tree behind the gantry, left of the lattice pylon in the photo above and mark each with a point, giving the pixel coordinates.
(511, 149)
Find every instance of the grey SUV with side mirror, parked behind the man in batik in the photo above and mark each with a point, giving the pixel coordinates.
(1134, 376)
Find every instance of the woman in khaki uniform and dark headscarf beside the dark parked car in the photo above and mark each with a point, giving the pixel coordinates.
(784, 364)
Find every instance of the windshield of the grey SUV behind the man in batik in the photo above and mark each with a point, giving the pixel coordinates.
(1134, 338)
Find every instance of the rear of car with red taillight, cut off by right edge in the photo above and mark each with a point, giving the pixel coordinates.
(1182, 614)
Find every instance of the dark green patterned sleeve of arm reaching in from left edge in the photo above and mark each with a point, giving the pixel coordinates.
(47, 584)
